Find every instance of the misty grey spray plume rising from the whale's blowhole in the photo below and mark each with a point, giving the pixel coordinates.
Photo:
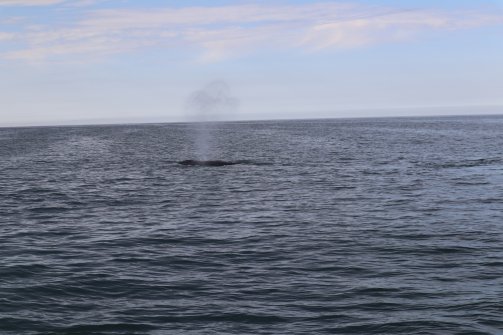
(206, 106)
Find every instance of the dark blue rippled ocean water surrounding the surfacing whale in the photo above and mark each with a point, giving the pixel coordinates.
(371, 226)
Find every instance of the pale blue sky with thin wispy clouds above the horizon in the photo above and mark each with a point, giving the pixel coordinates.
(116, 61)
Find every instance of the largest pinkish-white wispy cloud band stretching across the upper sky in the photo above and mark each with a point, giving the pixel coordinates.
(226, 31)
